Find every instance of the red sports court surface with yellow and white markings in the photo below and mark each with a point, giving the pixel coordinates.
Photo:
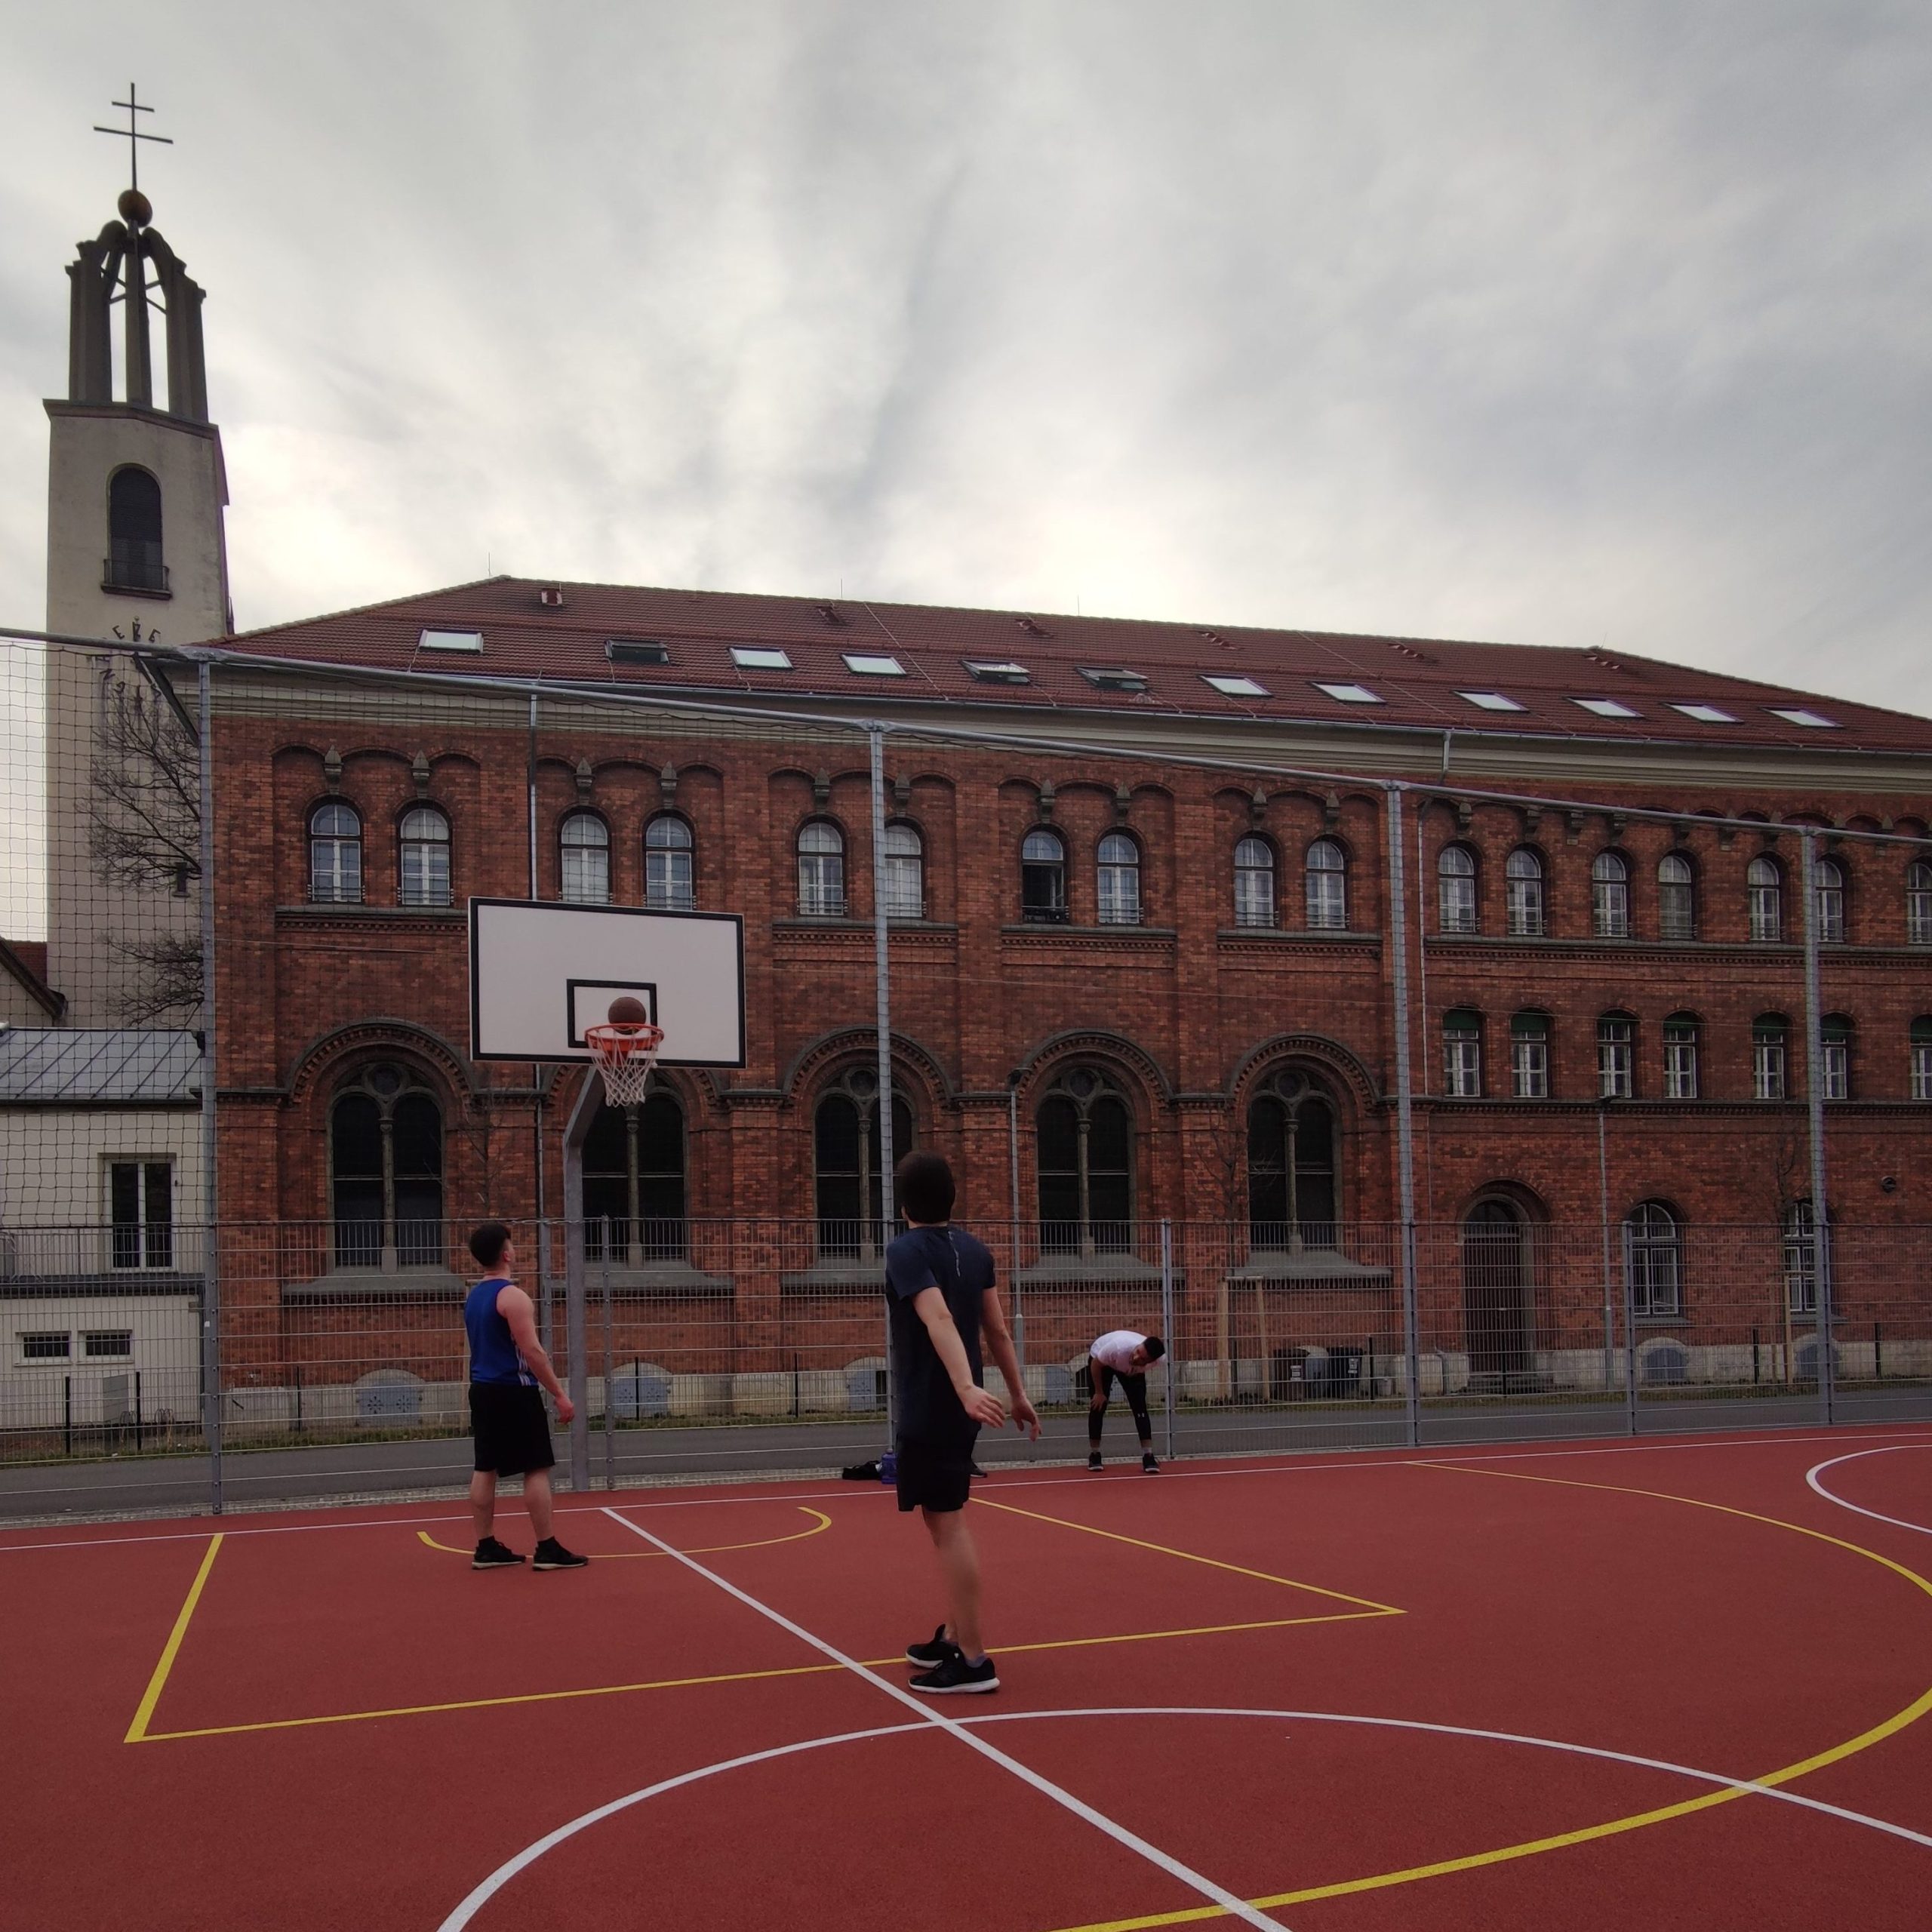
(1508, 1688)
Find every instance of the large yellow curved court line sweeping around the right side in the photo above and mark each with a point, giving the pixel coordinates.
(1614, 1827)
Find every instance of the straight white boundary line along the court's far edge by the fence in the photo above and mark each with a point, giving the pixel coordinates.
(1330, 1462)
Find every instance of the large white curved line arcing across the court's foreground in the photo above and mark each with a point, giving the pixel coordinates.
(550, 1842)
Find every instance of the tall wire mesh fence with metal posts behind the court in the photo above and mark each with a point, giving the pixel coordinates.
(1406, 1112)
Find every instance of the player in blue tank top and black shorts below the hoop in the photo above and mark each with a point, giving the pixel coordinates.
(509, 1371)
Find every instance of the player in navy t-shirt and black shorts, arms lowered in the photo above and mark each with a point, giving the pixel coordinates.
(942, 1301)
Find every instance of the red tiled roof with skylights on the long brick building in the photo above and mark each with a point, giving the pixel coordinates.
(1417, 679)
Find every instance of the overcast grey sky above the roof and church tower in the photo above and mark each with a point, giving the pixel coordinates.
(1547, 324)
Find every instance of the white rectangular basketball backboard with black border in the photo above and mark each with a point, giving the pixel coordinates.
(542, 973)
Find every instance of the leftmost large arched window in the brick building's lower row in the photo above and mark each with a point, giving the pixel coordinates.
(385, 1168)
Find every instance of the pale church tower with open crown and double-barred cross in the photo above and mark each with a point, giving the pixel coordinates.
(134, 552)
